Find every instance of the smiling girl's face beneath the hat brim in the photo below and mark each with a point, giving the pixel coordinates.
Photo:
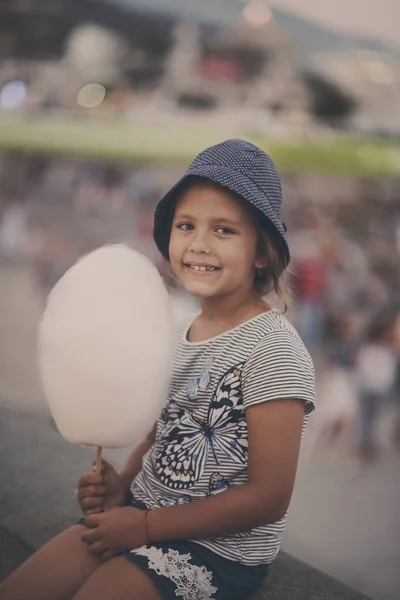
(213, 243)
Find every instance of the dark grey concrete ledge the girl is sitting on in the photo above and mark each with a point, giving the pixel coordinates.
(38, 477)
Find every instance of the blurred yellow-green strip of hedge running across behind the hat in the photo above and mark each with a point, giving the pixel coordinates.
(167, 143)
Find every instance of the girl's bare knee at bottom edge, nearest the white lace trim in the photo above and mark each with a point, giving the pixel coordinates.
(119, 579)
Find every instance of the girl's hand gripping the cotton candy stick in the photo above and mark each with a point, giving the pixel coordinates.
(99, 492)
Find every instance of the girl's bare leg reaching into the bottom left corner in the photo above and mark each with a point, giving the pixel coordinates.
(55, 572)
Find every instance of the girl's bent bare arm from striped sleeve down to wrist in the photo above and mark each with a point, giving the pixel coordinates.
(274, 433)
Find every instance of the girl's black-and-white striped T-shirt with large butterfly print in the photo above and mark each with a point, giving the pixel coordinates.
(201, 442)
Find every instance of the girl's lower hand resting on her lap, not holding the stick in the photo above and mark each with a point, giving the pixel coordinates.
(116, 529)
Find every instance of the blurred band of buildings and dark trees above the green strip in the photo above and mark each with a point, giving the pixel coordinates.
(183, 54)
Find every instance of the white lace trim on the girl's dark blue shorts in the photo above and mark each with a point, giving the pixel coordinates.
(192, 582)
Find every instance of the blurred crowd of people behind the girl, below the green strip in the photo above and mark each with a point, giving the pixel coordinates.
(345, 276)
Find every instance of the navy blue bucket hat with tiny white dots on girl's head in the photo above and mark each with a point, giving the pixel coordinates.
(243, 169)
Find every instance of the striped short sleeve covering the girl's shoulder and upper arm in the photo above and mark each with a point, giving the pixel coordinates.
(279, 367)
